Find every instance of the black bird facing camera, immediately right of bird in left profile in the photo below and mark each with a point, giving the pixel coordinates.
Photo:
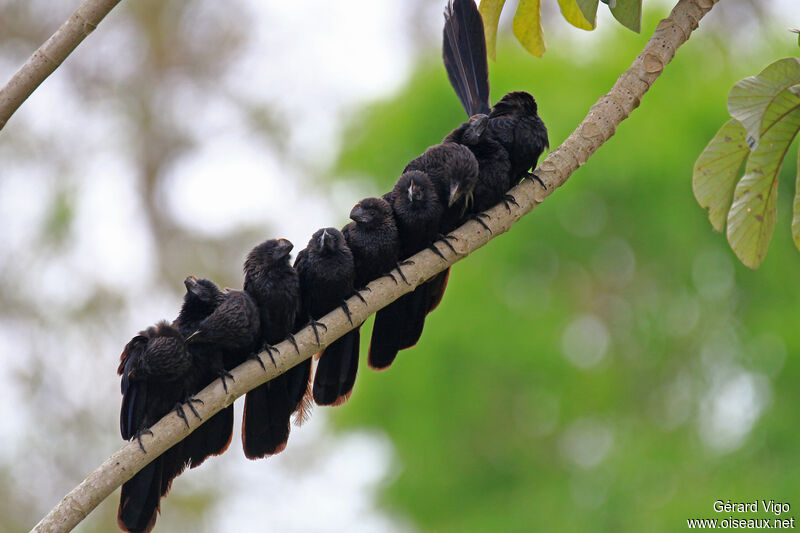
(417, 214)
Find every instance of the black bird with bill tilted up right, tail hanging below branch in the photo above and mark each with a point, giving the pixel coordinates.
(275, 287)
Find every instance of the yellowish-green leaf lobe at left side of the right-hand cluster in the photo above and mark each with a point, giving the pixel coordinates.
(716, 170)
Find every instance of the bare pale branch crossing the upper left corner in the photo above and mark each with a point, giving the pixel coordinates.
(51, 54)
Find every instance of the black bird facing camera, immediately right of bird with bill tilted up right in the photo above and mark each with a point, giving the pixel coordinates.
(327, 274)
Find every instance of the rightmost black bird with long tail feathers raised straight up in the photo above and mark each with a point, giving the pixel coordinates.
(512, 126)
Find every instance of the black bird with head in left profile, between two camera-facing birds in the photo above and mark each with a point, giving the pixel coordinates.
(373, 238)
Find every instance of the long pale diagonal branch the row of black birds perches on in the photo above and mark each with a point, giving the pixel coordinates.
(598, 126)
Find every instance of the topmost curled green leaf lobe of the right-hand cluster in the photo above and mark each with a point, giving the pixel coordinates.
(750, 98)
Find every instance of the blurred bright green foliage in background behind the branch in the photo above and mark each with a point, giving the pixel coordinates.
(683, 386)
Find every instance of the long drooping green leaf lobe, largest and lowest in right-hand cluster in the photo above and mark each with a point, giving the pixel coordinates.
(751, 219)
